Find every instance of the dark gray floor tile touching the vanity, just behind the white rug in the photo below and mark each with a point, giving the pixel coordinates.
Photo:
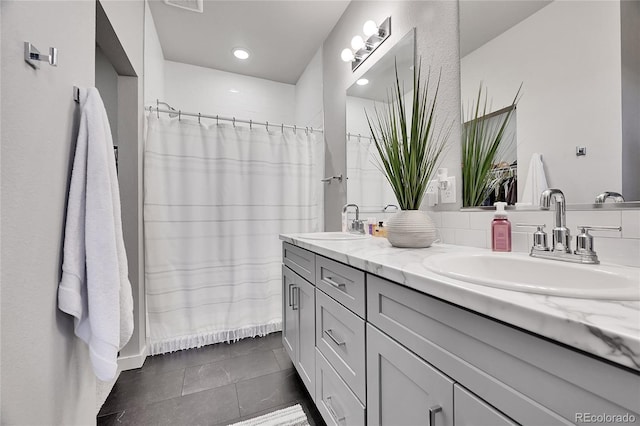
(272, 390)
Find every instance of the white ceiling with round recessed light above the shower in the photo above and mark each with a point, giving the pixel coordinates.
(282, 36)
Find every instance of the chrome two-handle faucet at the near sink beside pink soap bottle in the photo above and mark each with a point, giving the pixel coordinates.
(561, 248)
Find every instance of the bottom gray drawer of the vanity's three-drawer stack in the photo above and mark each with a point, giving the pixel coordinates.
(335, 401)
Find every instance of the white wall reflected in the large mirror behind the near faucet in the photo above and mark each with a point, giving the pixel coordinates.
(568, 57)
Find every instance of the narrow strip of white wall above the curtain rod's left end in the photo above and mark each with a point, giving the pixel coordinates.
(153, 61)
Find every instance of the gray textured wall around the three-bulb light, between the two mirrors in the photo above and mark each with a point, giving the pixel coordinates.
(436, 25)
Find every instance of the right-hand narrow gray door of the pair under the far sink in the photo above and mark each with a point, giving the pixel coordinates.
(304, 303)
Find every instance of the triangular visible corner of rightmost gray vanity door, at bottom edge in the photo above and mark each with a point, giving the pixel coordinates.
(469, 410)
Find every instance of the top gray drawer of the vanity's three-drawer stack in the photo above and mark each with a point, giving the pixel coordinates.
(342, 282)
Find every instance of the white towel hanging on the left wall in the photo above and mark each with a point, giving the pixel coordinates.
(95, 287)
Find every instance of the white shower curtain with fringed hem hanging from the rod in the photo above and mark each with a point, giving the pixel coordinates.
(216, 198)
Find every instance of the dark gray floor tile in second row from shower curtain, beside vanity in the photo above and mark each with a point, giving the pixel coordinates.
(228, 371)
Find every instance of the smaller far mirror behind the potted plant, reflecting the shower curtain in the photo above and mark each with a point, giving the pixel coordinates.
(366, 185)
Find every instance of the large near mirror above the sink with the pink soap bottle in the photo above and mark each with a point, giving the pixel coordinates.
(579, 66)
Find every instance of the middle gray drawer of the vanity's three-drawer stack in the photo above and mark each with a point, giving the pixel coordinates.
(340, 338)
